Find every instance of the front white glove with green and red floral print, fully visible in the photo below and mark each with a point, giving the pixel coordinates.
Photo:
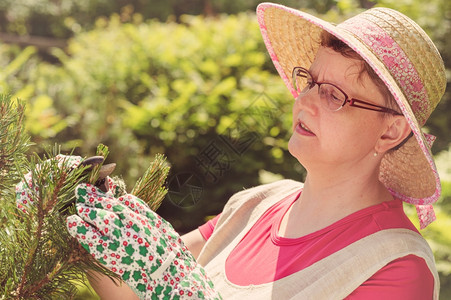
(136, 243)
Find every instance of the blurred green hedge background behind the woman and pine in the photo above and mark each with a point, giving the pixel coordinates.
(190, 79)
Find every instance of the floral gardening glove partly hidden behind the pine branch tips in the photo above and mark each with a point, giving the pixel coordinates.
(26, 193)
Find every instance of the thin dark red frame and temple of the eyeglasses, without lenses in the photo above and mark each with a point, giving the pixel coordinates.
(352, 101)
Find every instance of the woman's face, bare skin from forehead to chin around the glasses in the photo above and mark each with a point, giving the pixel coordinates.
(326, 139)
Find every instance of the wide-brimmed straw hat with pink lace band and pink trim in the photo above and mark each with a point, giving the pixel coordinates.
(402, 55)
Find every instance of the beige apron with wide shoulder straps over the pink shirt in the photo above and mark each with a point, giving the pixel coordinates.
(333, 277)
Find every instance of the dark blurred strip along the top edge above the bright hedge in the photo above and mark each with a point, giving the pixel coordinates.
(64, 18)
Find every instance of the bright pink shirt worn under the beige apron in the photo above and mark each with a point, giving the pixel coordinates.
(263, 256)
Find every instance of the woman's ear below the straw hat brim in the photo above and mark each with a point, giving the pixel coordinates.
(396, 131)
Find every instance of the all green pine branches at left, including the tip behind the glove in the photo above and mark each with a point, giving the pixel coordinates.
(38, 257)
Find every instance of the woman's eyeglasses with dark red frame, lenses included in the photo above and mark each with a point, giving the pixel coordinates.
(331, 95)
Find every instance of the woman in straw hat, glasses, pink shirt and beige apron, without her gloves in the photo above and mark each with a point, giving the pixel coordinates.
(362, 91)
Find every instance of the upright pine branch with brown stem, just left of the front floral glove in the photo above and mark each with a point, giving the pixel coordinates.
(50, 182)
